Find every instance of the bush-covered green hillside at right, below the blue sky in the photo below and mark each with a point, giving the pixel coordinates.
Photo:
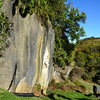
(88, 57)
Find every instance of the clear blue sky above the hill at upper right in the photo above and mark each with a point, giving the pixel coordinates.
(92, 10)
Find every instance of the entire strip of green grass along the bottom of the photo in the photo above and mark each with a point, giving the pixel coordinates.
(53, 95)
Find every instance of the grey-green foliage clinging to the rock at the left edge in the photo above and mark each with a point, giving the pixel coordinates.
(4, 30)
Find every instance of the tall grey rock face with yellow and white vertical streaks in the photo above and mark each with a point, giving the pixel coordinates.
(28, 59)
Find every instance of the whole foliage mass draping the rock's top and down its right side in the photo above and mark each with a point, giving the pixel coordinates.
(65, 21)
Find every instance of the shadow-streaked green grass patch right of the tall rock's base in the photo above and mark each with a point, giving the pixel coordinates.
(71, 95)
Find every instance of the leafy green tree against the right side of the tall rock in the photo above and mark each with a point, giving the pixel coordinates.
(67, 28)
